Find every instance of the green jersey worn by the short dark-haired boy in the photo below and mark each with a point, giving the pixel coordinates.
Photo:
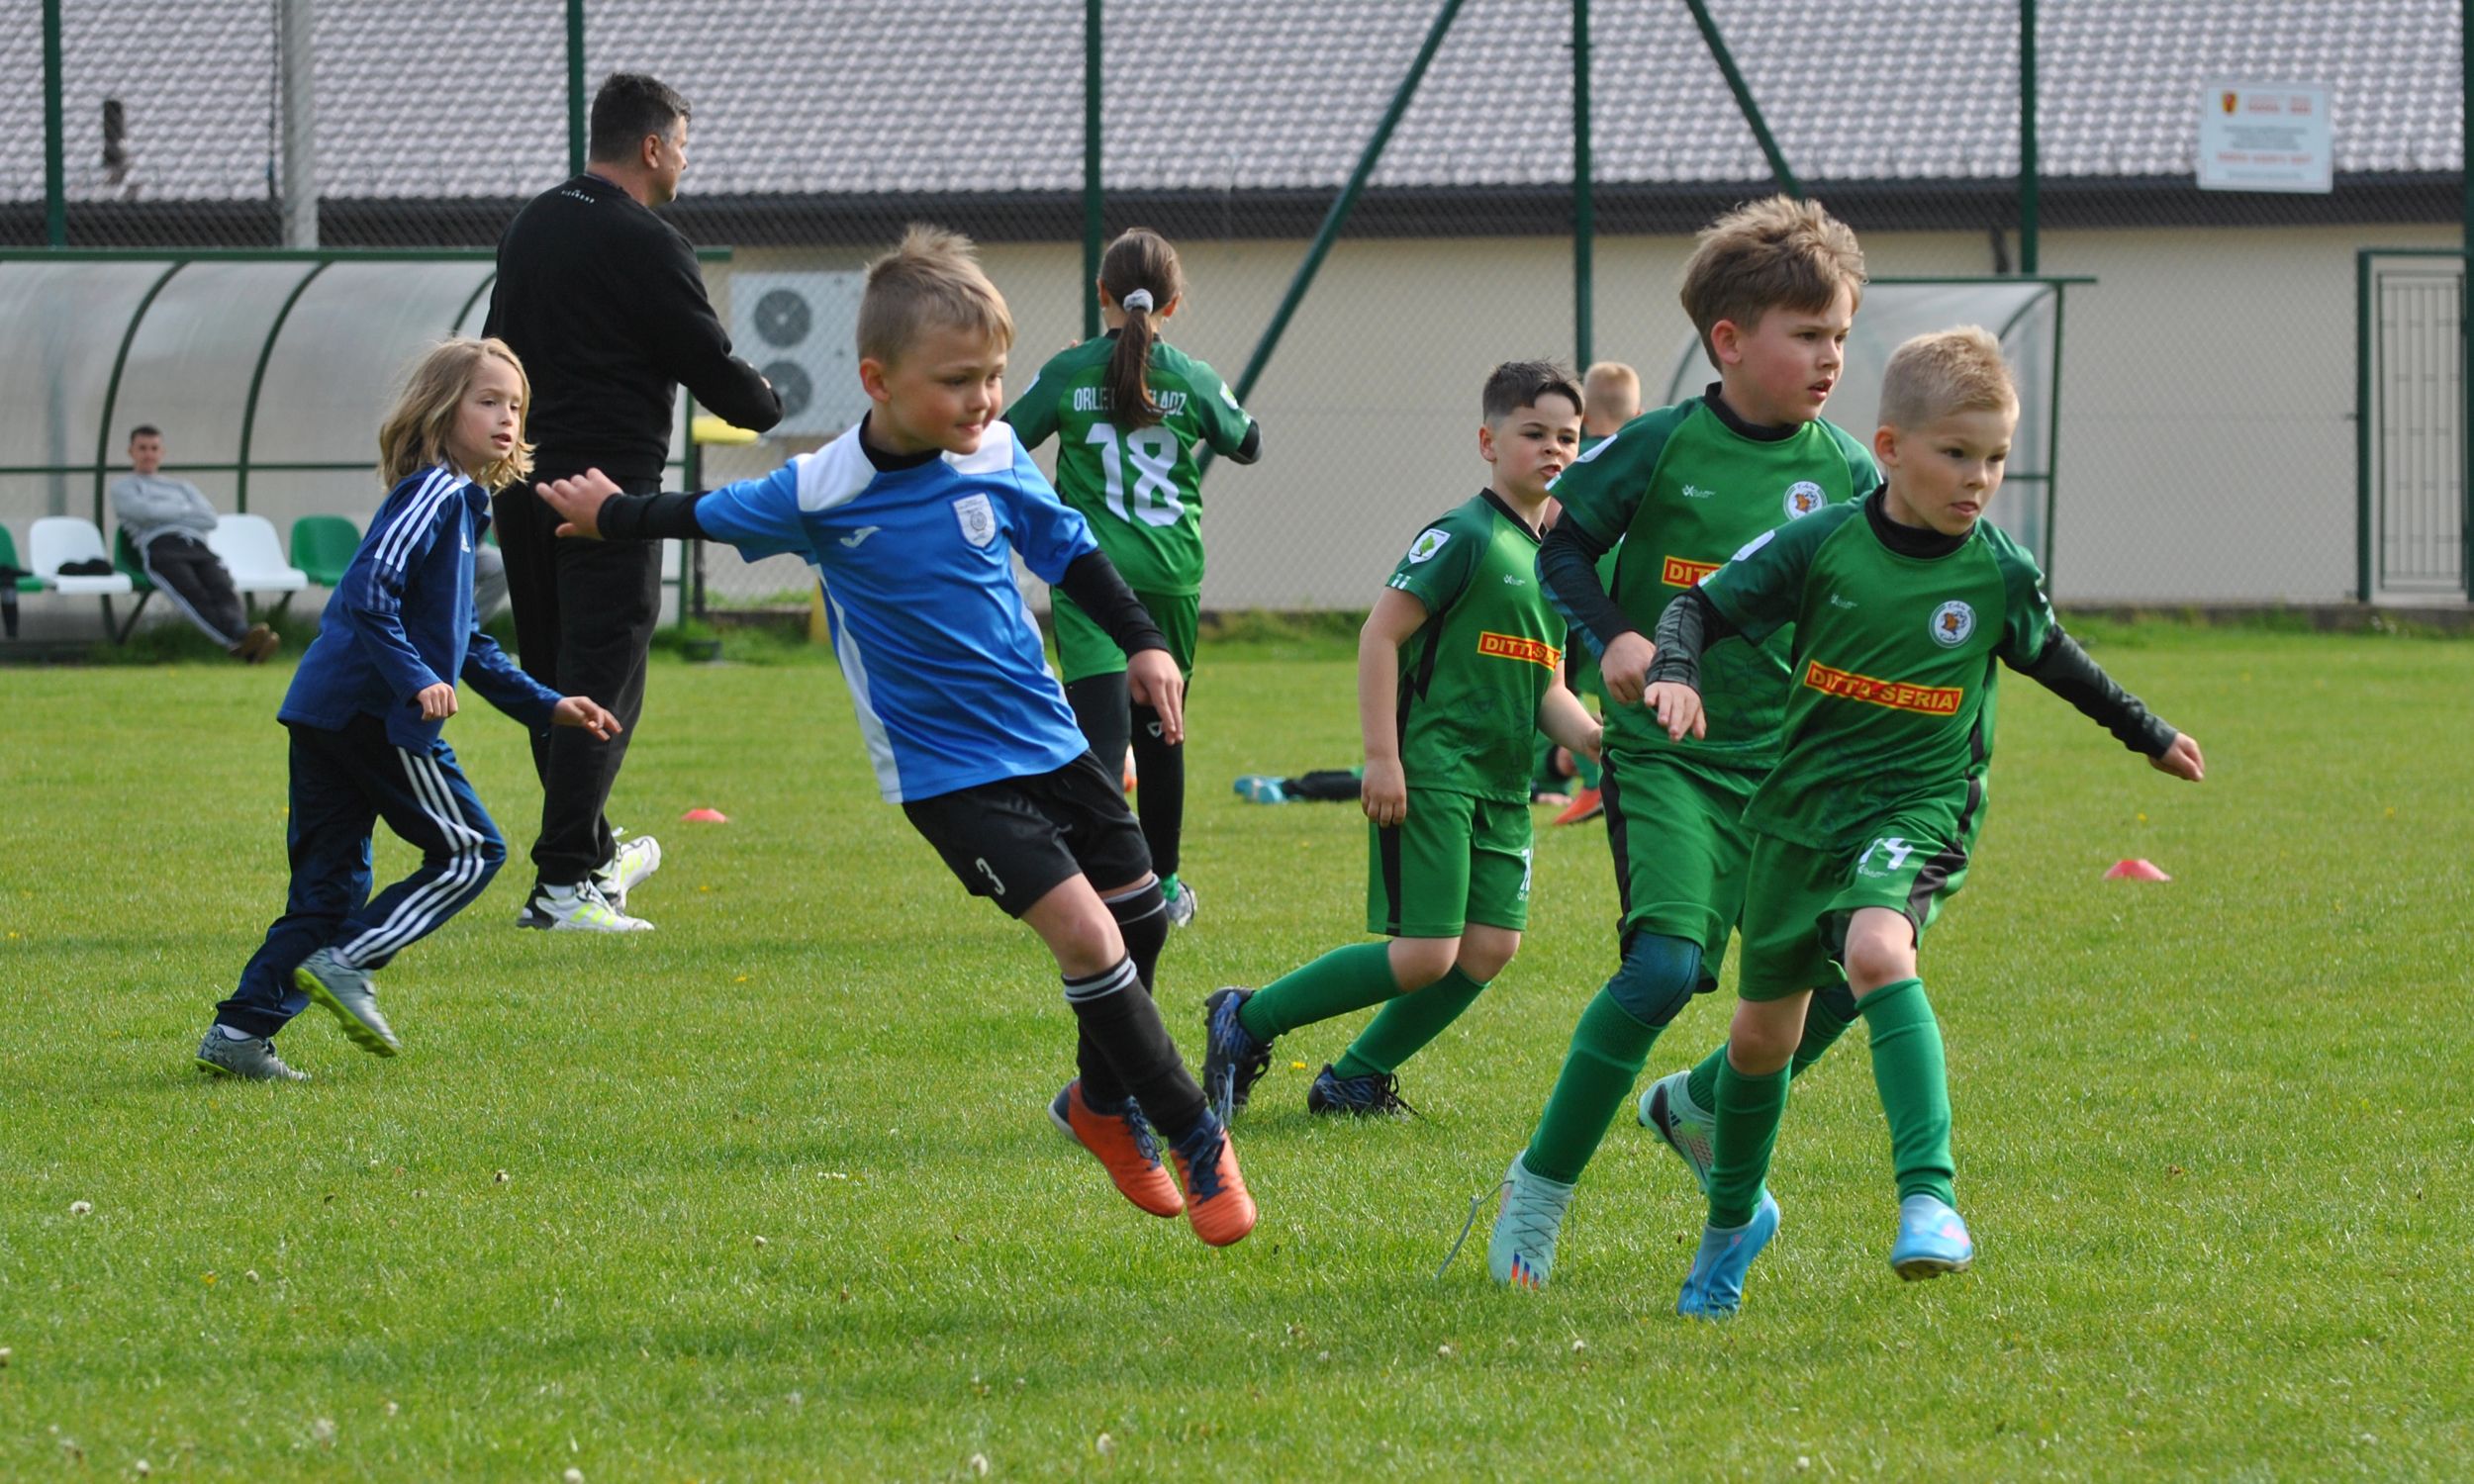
(1476, 674)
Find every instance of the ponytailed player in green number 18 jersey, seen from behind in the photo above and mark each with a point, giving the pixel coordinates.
(1129, 414)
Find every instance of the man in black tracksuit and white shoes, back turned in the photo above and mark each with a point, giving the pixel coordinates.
(607, 310)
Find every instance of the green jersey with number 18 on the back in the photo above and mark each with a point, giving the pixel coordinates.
(1139, 488)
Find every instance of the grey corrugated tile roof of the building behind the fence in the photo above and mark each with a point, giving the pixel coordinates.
(466, 98)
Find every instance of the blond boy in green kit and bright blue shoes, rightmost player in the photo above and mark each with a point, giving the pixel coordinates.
(1864, 830)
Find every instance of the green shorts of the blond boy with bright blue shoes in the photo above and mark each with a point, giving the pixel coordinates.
(1800, 902)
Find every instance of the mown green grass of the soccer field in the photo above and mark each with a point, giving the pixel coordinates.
(773, 1196)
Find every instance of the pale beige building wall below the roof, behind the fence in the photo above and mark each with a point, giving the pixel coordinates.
(2206, 446)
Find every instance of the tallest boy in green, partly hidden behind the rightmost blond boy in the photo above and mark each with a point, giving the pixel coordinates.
(1773, 293)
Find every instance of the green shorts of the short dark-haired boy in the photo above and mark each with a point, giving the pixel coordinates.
(1449, 864)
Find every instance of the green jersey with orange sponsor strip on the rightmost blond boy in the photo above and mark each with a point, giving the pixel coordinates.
(1894, 669)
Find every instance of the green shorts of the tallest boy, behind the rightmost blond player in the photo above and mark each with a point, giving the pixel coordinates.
(1676, 827)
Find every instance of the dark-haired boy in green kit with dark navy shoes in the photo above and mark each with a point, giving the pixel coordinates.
(1458, 664)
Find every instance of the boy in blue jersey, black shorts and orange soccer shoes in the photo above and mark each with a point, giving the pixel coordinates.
(912, 523)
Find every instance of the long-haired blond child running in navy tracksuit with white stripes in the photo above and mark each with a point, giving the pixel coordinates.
(365, 716)
